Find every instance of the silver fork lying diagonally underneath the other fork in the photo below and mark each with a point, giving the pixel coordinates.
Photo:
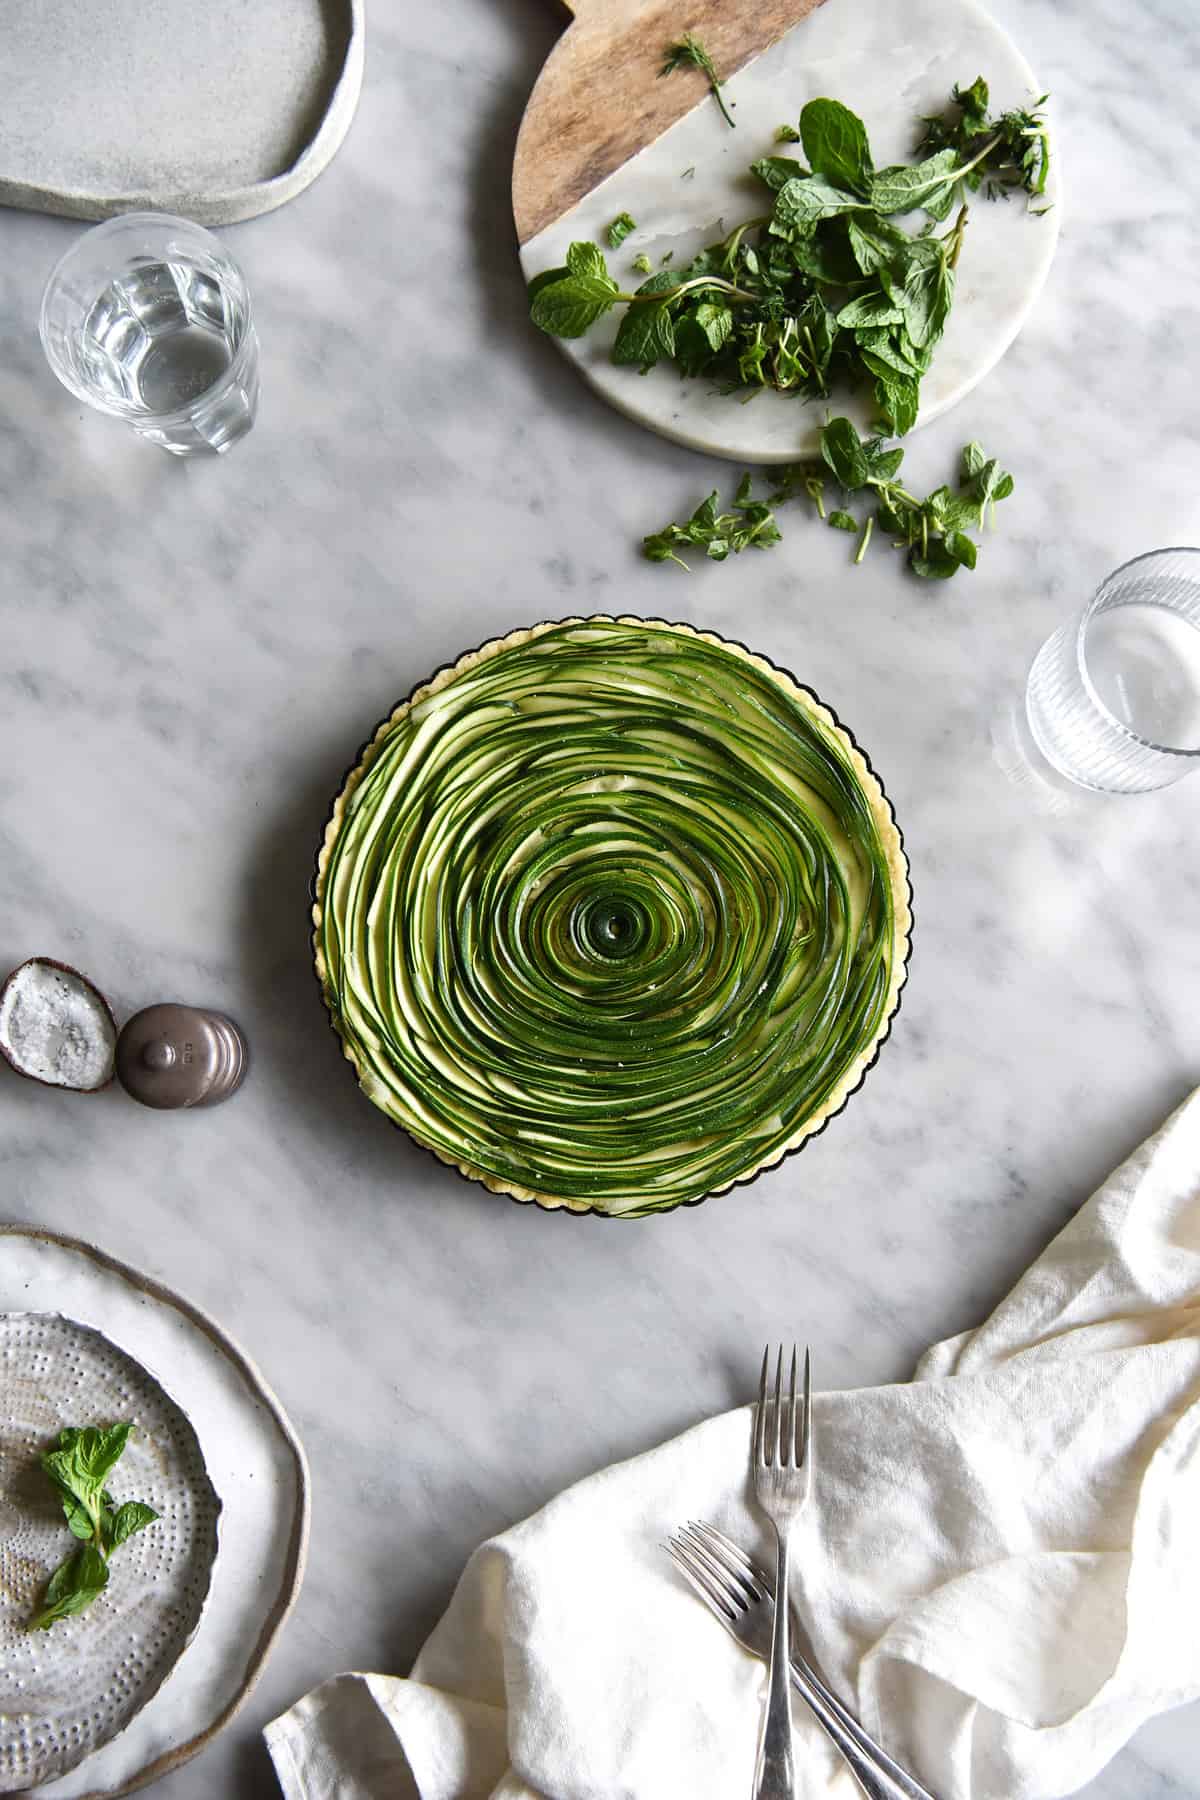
(739, 1592)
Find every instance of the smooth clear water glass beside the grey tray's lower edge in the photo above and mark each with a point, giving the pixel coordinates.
(148, 318)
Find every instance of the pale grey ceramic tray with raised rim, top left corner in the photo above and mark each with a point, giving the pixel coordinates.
(219, 112)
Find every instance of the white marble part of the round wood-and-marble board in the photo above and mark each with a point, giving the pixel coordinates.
(890, 64)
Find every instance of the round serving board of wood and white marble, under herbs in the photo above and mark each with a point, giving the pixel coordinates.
(604, 134)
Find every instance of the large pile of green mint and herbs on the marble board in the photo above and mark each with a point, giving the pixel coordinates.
(825, 285)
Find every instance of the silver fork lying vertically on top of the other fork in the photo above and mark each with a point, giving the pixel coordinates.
(784, 1480)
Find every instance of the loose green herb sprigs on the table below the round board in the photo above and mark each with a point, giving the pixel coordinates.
(931, 532)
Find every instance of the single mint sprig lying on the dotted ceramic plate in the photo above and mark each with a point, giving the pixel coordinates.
(80, 1466)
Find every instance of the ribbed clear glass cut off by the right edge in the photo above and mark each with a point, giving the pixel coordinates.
(1115, 696)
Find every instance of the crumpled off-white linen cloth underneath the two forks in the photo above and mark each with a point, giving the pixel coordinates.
(1001, 1572)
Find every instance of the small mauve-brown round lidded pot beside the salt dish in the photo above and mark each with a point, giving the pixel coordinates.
(181, 1057)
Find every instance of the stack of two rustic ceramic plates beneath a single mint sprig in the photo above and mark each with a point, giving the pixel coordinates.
(109, 1704)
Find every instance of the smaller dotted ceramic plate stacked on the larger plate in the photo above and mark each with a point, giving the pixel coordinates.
(67, 1691)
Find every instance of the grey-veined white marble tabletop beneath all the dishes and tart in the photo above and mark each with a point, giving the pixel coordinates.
(192, 656)
